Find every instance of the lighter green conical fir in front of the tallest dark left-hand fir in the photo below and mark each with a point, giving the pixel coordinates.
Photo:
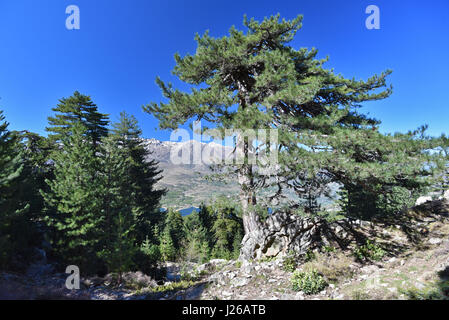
(74, 200)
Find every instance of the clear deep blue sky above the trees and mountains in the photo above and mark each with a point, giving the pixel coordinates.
(123, 45)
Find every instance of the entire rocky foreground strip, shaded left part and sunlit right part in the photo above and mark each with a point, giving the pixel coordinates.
(413, 264)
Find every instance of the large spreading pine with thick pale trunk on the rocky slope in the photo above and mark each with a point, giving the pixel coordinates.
(256, 80)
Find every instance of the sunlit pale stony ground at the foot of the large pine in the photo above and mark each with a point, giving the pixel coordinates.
(414, 274)
